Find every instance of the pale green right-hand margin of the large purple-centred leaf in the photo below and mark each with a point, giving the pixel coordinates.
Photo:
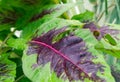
(90, 40)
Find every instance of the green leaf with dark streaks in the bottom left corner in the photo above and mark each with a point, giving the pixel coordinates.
(7, 69)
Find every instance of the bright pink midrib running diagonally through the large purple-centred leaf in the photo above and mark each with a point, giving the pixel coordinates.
(61, 54)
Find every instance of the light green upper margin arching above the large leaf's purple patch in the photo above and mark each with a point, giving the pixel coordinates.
(57, 23)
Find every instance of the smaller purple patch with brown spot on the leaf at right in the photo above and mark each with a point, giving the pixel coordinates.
(100, 32)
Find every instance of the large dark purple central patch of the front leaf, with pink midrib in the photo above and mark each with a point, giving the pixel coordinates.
(69, 57)
